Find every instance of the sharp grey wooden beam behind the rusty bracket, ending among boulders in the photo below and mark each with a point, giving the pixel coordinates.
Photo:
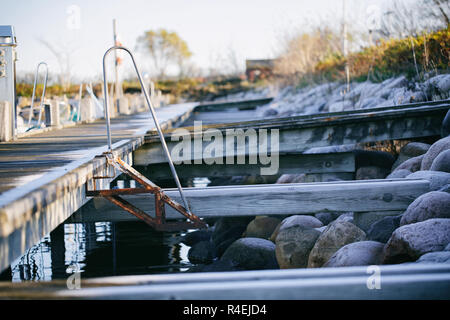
(278, 199)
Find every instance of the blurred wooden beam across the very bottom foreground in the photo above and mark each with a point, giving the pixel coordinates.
(405, 281)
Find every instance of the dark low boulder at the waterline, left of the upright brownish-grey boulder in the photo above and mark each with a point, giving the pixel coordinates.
(252, 254)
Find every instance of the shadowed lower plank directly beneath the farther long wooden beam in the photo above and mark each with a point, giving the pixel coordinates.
(290, 163)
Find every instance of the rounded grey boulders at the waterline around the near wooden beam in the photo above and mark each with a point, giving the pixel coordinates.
(420, 234)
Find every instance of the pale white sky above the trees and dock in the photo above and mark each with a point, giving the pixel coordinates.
(252, 29)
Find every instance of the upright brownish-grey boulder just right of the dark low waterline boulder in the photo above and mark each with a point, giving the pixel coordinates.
(293, 246)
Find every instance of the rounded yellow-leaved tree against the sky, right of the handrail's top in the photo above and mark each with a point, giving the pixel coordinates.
(165, 49)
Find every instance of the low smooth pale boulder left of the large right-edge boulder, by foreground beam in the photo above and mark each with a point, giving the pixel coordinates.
(362, 253)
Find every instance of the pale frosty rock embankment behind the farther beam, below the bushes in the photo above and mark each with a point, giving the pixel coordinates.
(328, 97)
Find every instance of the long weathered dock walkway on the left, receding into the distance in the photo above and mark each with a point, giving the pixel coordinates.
(34, 202)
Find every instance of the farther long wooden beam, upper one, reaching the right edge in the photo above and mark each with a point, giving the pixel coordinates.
(302, 133)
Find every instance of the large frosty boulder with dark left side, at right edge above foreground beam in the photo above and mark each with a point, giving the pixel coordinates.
(409, 242)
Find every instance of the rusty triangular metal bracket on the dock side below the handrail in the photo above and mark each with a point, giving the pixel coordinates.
(159, 221)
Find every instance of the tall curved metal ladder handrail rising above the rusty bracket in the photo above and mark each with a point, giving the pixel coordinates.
(152, 111)
